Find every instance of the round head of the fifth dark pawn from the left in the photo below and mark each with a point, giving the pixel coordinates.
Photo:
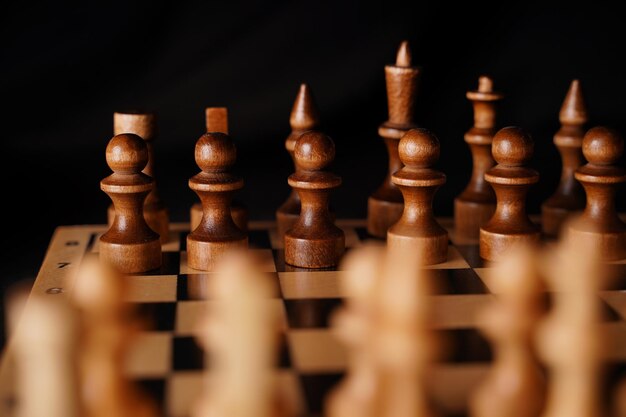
(512, 146)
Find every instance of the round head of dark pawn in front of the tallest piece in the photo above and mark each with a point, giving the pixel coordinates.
(419, 148)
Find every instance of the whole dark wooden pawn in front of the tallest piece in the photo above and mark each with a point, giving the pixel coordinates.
(417, 228)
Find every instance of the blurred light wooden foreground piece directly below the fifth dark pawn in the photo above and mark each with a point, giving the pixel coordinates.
(515, 383)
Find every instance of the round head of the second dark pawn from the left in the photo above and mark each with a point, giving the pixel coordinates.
(215, 152)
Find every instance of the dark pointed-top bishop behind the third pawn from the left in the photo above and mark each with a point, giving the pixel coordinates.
(304, 116)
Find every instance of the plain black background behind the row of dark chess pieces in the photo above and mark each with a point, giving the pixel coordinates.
(66, 68)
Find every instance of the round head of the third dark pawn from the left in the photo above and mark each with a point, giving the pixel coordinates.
(314, 151)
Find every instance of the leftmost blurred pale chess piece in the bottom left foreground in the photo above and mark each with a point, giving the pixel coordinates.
(45, 348)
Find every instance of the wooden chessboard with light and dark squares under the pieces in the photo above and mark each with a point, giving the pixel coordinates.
(168, 363)
